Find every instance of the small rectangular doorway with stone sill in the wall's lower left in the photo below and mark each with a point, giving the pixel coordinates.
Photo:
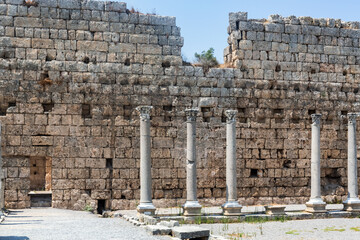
(40, 181)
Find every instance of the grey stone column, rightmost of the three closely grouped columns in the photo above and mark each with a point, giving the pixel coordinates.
(231, 207)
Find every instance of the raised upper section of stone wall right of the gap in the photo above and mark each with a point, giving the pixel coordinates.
(291, 48)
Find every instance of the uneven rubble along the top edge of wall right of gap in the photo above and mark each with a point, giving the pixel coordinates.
(275, 18)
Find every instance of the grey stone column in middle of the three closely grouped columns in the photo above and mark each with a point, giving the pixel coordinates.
(191, 206)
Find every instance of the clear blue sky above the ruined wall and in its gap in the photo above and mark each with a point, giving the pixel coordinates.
(204, 22)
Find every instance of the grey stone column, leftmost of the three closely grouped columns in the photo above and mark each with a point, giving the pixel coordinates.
(145, 205)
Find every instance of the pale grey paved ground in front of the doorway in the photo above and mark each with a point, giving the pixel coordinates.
(50, 223)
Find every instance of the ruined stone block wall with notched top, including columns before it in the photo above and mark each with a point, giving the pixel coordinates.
(75, 77)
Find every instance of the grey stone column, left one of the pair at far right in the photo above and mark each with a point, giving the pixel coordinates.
(315, 204)
